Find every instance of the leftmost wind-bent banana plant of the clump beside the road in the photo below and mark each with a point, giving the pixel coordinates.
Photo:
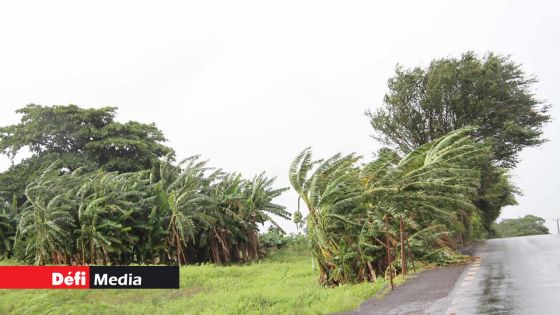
(330, 189)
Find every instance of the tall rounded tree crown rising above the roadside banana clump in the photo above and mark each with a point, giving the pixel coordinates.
(492, 93)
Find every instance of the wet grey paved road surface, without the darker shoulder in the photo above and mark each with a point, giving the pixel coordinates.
(518, 275)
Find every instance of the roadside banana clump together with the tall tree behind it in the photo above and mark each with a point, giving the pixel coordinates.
(453, 130)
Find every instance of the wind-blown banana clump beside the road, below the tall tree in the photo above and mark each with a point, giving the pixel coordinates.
(372, 219)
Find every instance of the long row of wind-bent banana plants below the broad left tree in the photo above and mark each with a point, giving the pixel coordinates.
(170, 214)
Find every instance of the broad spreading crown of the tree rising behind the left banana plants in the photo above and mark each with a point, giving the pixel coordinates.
(91, 133)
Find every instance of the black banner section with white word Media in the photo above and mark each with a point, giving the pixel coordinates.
(134, 277)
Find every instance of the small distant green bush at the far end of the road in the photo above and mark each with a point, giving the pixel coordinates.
(528, 225)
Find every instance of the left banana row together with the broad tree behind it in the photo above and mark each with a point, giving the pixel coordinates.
(135, 208)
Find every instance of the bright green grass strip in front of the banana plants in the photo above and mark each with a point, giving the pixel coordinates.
(281, 284)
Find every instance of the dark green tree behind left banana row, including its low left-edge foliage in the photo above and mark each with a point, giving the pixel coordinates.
(75, 137)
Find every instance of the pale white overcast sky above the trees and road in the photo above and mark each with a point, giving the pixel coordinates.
(249, 84)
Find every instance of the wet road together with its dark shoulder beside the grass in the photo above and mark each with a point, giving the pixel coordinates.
(518, 275)
